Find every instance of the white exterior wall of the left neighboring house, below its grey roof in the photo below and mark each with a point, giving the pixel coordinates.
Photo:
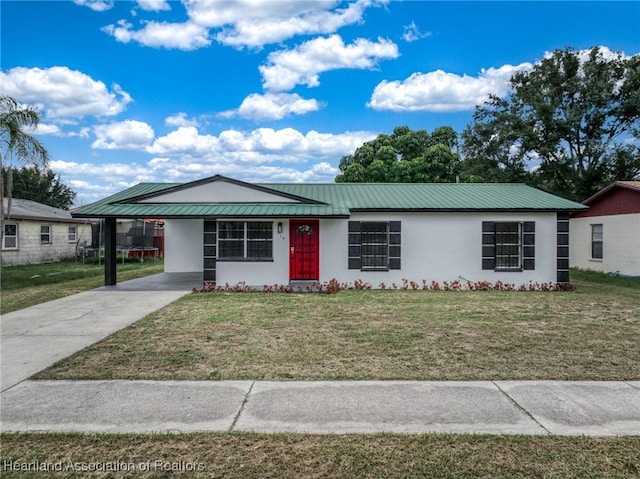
(31, 251)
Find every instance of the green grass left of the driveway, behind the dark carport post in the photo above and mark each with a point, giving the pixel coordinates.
(28, 285)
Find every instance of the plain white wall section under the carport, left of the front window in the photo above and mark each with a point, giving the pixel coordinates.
(183, 245)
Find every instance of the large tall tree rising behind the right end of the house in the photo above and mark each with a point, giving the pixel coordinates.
(575, 114)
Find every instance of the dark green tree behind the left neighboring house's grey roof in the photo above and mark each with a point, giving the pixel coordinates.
(41, 185)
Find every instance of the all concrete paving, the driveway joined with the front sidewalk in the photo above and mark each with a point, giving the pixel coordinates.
(35, 338)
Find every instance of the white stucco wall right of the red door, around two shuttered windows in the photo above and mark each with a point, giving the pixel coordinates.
(438, 247)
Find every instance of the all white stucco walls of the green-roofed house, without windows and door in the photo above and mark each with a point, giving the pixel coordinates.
(435, 247)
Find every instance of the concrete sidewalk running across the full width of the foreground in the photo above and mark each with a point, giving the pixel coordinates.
(498, 407)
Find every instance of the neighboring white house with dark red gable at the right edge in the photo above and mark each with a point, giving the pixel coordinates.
(607, 236)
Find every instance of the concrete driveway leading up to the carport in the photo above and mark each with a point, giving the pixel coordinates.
(34, 338)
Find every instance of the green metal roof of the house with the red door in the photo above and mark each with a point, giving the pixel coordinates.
(337, 200)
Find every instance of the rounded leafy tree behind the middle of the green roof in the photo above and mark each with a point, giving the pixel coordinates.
(405, 156)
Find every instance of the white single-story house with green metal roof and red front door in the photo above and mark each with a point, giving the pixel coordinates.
(264, 234)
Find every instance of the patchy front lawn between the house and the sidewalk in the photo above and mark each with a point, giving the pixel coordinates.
(590, 334)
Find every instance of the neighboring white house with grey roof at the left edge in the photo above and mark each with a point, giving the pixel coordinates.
(36, 233)
